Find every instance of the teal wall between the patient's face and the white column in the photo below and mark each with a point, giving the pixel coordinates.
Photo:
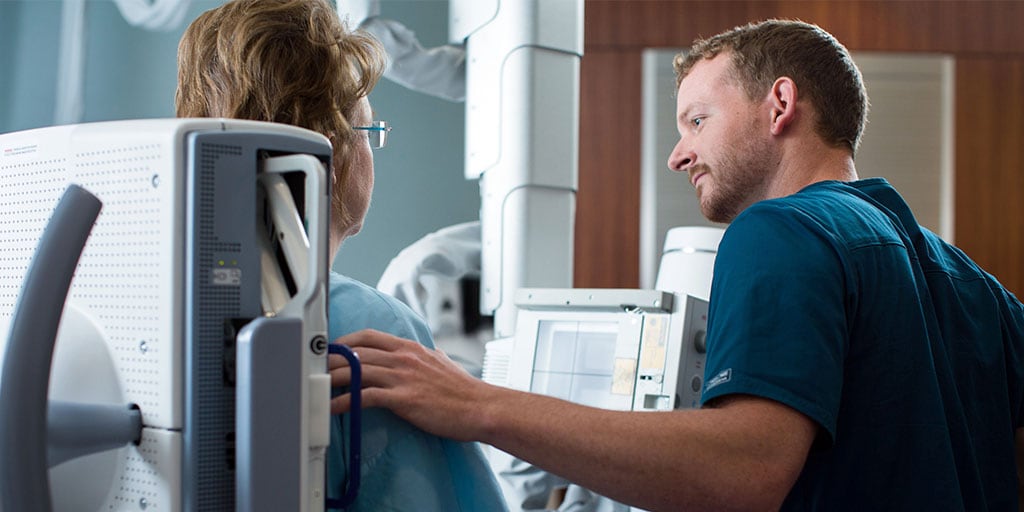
(420, 186)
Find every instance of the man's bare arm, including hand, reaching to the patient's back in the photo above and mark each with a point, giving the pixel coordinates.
(745, 453)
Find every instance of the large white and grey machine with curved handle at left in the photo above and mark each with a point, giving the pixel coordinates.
(191, 368)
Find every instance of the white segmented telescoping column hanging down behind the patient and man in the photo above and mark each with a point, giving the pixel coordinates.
(523, 124)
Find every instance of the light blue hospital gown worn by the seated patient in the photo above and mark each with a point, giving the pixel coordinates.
(404, 468)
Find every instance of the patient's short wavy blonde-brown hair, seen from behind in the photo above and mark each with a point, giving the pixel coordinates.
(289, 62)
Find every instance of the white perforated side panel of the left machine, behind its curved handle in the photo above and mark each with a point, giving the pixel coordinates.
(126, 276)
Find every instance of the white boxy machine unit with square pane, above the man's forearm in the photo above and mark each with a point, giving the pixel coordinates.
(611, 349)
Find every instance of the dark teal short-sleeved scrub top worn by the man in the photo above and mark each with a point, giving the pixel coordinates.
(908, 356)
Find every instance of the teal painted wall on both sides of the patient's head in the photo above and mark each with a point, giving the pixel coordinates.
(131, 74)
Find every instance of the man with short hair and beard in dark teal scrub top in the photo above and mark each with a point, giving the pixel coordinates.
(856, 361)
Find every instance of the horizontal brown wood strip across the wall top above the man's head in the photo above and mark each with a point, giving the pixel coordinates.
(948, 26)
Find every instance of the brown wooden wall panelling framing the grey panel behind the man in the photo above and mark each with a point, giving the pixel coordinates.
(984, 36)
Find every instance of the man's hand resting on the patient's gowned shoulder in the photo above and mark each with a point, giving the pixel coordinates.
(421, 386)
